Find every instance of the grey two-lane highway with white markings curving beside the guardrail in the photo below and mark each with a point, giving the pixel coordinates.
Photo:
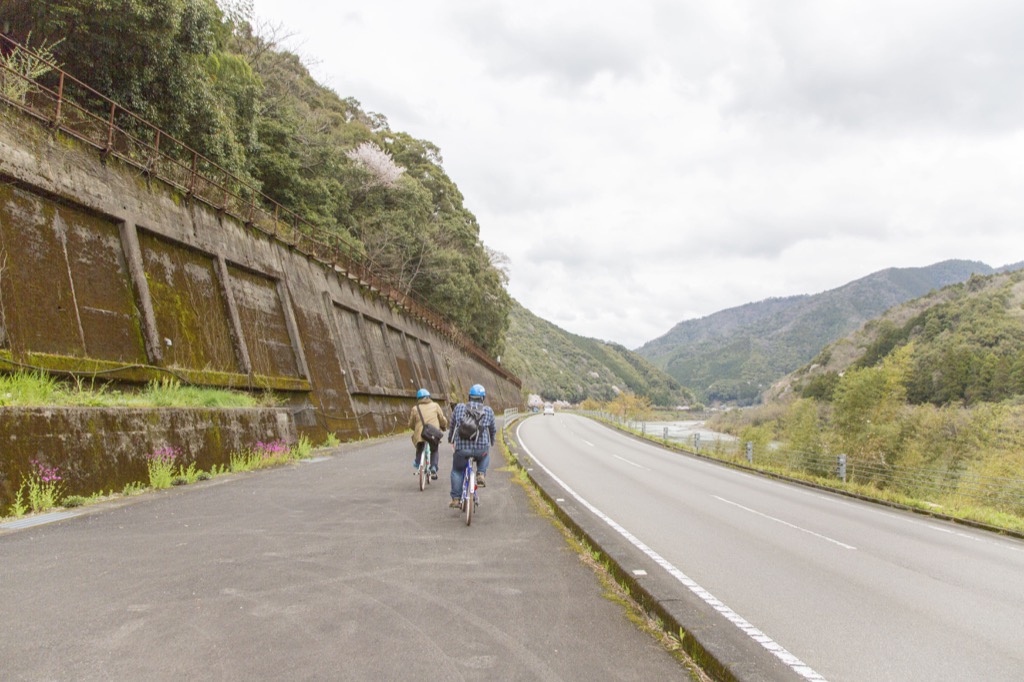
(857, 591)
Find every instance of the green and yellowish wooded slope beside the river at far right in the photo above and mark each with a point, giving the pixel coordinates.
(935, 387)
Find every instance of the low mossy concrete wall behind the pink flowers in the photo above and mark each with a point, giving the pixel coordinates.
(99, 449)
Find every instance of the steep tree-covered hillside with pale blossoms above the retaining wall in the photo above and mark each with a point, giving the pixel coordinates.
(201, 73)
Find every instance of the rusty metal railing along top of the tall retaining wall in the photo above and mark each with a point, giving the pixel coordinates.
(68, 105)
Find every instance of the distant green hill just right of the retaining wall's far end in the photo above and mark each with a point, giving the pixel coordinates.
(561, 366)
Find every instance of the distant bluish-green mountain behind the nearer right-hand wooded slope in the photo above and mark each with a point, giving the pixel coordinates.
(736, 355)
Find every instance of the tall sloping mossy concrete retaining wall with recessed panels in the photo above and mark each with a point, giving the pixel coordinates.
(107, 272)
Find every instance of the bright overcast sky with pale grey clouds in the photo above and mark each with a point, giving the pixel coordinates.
(646, 162)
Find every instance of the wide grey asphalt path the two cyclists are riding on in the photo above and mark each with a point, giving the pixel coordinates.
(334, 570)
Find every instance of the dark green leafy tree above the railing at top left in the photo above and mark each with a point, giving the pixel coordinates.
(151, 57)
